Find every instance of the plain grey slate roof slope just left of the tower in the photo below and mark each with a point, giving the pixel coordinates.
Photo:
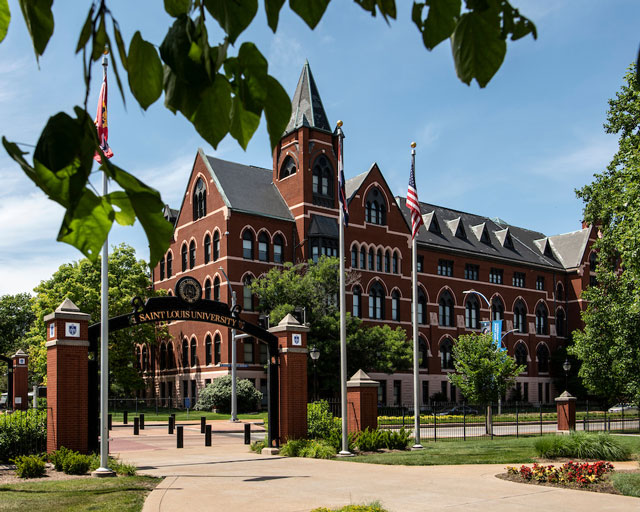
(247, 188)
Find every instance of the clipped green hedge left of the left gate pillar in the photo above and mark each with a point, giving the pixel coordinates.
(22, 433)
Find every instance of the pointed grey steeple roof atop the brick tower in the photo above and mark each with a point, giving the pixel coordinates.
(306, 108)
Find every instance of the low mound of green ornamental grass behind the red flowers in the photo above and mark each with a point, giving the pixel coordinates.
(582, 445)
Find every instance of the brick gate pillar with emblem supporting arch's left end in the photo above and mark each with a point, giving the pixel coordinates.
(67, 378)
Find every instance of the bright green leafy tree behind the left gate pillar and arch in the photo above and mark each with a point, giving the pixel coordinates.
(80, 282)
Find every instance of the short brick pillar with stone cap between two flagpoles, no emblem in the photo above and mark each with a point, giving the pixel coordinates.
(362, 402)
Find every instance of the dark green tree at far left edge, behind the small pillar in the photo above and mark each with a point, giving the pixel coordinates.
(16, 317)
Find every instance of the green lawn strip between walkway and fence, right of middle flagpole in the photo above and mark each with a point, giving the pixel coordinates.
(499, 451)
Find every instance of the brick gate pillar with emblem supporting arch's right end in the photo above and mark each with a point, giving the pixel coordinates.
(292, 374)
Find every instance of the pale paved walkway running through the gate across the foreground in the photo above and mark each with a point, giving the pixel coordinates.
(228, 477)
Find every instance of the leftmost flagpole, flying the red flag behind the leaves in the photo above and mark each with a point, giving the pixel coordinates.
(104, 470)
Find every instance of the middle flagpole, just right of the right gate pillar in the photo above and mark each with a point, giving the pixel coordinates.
(343, 318)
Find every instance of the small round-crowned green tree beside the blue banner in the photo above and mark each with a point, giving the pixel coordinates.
(484, 372)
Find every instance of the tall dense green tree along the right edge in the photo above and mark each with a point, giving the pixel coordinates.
(609, 344)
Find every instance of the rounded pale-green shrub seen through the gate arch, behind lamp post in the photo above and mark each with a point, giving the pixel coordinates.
(217, 395)
